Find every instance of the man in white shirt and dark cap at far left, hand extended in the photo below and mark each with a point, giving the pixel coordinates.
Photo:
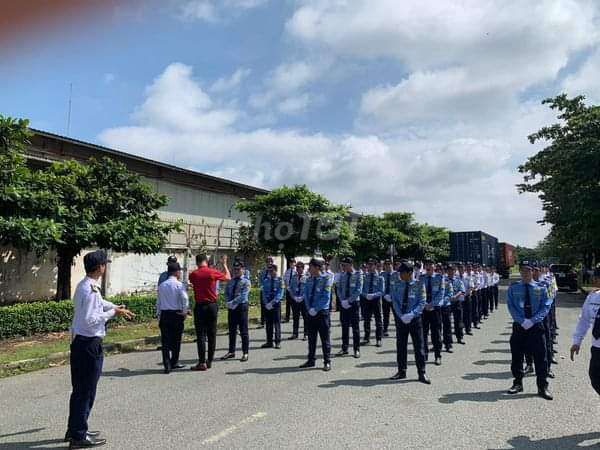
(91, 312)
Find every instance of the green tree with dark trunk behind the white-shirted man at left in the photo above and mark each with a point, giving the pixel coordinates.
(102, 204)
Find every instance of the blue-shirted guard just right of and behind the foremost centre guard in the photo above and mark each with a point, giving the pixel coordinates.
(349, 288)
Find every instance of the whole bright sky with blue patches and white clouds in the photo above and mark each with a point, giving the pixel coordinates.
(380, 104)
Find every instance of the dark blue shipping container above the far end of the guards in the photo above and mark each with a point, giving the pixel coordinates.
(474, 247)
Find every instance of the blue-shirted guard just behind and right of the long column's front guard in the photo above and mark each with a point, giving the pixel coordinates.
(435, 288)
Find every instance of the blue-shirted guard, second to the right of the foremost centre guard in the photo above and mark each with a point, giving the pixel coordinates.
(373, 288)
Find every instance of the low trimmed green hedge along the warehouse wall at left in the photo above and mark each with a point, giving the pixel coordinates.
(26, 319)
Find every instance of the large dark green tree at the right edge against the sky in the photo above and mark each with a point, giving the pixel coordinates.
(566, 175)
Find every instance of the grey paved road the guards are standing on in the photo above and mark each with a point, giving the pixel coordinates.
(269, 403)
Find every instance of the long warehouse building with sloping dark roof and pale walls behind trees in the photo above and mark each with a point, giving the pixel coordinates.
(205, 205)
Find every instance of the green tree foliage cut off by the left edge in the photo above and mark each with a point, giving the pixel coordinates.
(23, 209)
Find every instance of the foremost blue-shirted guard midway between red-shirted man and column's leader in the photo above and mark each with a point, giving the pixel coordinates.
(317, 296)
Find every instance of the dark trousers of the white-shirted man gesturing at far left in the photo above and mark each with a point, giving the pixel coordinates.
(86, 366)
